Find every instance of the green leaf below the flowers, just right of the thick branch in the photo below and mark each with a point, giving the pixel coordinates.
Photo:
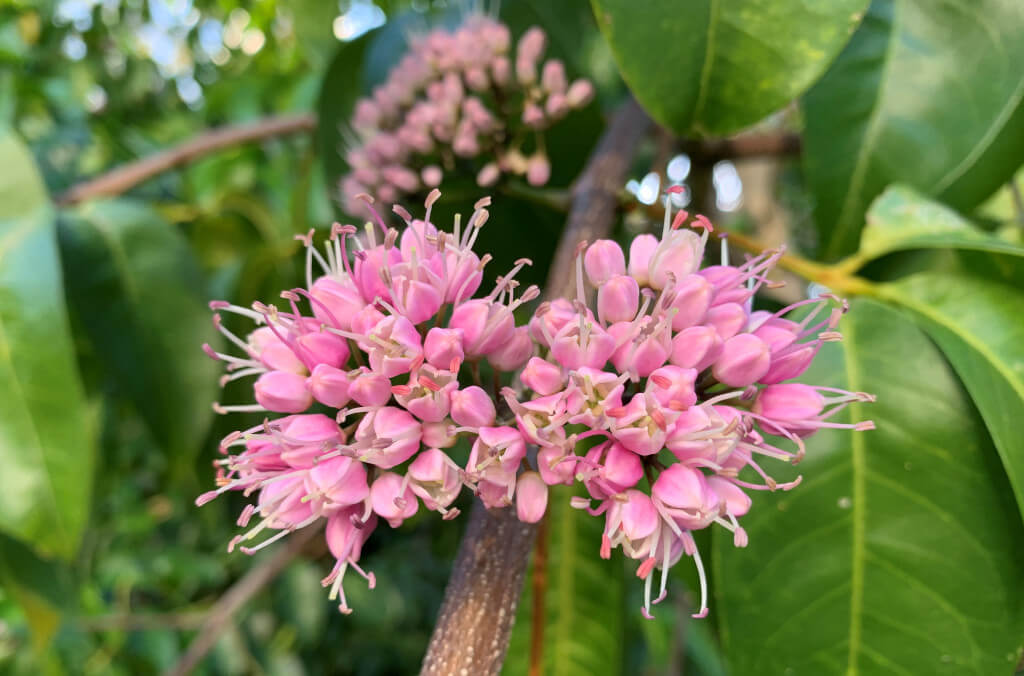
(583, 603)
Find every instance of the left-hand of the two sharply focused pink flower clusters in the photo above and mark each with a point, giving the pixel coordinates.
(387, 331)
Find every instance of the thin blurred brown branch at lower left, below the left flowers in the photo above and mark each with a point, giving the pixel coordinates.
(221, 616)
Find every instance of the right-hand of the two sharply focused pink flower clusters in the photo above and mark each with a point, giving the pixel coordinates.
(681, 385)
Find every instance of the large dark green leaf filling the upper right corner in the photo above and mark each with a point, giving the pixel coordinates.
(926, 94)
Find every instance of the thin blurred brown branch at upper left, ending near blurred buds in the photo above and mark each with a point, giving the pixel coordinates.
(125, 178)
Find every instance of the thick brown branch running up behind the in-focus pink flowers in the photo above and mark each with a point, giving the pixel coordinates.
(476, 621)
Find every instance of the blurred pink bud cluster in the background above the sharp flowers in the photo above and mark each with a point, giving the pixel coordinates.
(463, 99)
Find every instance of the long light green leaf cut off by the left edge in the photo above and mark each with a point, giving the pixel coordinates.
(48, 442)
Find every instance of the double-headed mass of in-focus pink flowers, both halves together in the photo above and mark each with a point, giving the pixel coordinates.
(662, 399)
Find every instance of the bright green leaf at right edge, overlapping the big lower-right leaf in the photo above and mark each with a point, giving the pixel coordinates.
(978, 324)
